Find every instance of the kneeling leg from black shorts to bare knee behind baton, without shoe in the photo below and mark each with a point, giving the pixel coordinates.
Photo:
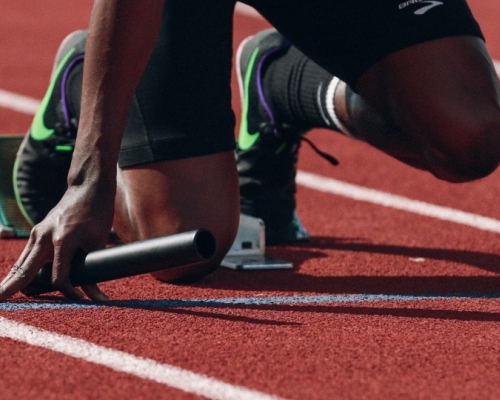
(177, 168)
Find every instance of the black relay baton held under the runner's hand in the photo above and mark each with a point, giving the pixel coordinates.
(131, 259)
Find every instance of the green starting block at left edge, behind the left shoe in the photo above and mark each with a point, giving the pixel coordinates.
(12, 222)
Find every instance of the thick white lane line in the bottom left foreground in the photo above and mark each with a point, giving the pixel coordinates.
(145, 368)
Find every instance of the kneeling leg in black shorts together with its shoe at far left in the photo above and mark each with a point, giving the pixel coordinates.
(177, 168)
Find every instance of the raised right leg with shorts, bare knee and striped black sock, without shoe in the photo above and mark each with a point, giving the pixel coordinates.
(432, 103)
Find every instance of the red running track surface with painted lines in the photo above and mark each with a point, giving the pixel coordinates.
(350, 321)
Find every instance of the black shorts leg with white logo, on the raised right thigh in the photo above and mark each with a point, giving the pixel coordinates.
(347, 37)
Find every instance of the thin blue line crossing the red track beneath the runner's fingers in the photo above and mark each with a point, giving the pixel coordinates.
(246, 301)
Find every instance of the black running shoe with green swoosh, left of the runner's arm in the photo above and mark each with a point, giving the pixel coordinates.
(44, 157)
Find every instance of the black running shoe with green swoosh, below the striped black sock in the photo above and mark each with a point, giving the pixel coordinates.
(267, 149)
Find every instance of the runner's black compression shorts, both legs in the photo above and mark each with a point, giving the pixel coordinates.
(182, 107)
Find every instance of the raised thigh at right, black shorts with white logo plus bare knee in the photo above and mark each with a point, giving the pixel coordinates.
(421, 65)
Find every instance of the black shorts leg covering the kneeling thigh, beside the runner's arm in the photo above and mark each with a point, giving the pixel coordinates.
(182, 107)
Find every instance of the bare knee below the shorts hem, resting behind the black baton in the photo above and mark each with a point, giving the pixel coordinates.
(168, 197)
